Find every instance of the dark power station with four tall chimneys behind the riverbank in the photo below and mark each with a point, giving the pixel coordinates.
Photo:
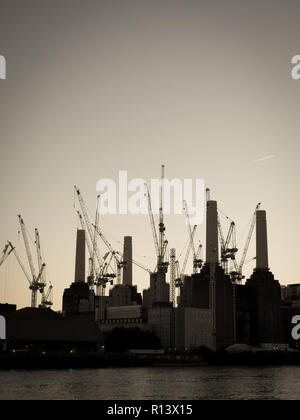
(213, 311)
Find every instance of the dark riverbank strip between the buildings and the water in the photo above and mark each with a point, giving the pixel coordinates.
(42, 360)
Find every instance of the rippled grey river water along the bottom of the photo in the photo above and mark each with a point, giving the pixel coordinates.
(153, 383)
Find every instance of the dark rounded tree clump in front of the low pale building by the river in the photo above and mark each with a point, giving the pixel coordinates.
(123, 339)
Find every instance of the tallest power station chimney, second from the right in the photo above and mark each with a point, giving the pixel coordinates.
(212, 239)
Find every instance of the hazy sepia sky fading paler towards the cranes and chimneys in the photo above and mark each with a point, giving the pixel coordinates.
(94, 87)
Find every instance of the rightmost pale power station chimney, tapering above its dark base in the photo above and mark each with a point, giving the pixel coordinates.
(262, 261)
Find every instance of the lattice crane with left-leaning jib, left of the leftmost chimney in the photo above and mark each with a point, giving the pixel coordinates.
(36, 282)
